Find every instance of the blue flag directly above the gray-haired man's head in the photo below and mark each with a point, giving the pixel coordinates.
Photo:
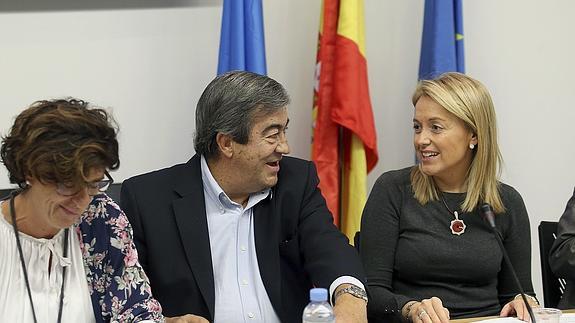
(242, 44)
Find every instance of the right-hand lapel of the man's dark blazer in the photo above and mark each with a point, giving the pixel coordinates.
(266, 230)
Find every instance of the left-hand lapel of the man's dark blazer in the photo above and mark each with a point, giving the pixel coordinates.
(189, 211)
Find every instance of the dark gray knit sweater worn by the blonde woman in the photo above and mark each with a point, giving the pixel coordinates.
(409, 252)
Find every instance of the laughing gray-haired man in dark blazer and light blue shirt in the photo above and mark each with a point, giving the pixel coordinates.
(240, 233)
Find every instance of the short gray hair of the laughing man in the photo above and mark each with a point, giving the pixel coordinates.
(229, 104)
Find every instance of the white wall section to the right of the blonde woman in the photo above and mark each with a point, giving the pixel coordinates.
(523, 55)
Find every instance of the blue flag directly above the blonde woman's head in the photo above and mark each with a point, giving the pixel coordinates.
(442, 40)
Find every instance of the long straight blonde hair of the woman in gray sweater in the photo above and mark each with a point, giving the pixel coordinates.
(468, 100)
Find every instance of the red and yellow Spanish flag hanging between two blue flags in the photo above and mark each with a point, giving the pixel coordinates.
(344, 140)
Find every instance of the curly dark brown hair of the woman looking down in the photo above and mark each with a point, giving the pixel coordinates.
(60, 141)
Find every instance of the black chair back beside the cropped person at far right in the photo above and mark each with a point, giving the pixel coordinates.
(553, 287)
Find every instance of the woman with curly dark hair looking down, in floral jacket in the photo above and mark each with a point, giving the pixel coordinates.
(66, 247)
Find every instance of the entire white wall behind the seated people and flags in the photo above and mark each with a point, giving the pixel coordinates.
(149, 61)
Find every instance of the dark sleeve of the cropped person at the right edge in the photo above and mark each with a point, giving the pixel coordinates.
(562, 254)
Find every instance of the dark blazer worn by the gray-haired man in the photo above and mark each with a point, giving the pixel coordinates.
(297, 245)
